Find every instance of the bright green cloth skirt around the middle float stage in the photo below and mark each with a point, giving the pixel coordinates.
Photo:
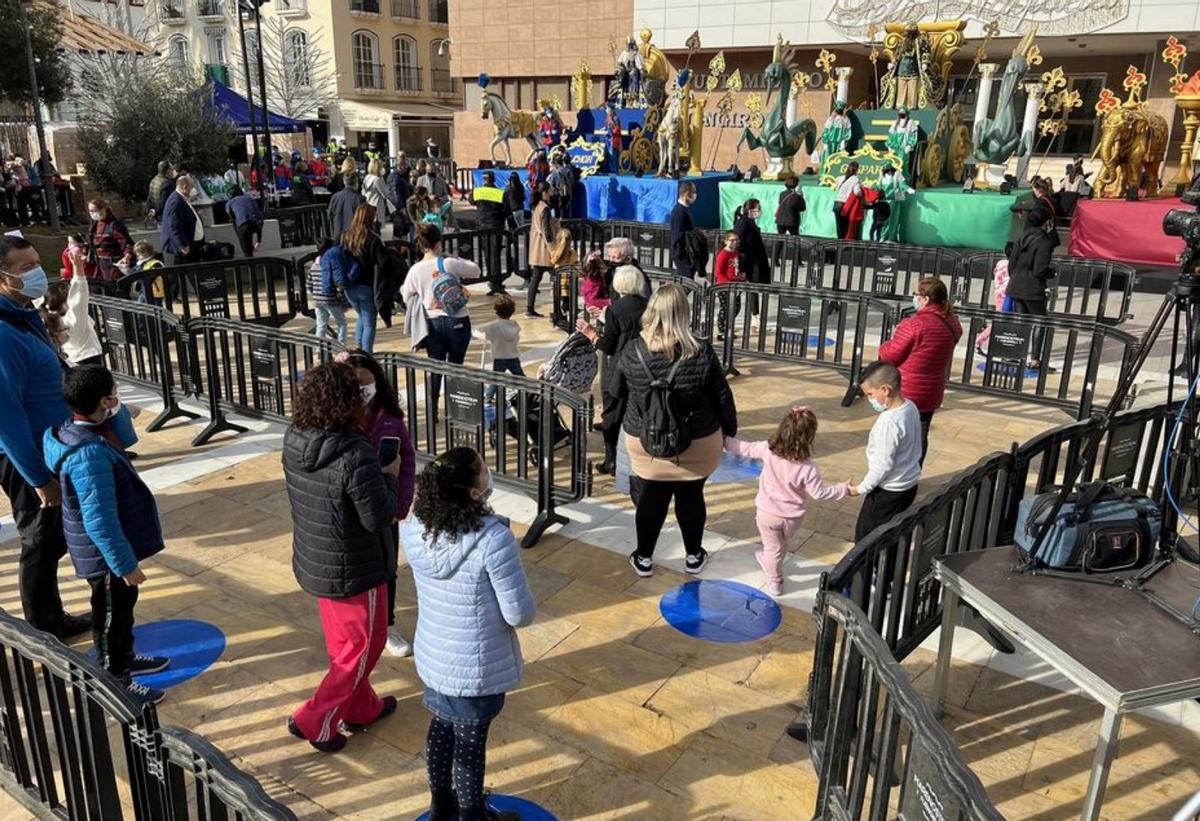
(945, 218)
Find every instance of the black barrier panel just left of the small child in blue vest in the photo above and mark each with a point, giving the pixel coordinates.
(260, 290)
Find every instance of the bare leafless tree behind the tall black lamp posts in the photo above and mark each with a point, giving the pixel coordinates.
(301, 75)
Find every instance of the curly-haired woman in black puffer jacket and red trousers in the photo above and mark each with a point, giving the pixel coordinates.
(343, 507)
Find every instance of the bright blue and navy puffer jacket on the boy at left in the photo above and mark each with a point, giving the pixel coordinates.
(110, 517)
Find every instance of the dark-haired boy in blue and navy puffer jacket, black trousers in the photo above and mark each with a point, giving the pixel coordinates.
(110, 518)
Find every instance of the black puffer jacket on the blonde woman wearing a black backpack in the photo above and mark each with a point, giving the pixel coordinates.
(700, 387)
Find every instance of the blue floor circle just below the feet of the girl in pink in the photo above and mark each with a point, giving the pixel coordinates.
(723, 612)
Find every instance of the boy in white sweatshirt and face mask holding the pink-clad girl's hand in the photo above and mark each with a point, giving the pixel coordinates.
(893, 451)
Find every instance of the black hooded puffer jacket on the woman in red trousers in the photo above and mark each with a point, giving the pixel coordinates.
(343, 506)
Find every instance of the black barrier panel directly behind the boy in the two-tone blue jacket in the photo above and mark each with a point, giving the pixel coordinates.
(146, 345)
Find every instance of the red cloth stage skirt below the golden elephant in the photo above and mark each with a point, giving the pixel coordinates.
(1125, 232)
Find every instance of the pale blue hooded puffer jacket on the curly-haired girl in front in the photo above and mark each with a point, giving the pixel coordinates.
(471, 596)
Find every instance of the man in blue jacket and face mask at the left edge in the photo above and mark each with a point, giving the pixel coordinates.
(31, 403)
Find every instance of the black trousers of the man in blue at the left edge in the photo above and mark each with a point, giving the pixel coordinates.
(43, 546)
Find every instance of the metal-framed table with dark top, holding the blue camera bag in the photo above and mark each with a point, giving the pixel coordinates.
(1113, 644)
